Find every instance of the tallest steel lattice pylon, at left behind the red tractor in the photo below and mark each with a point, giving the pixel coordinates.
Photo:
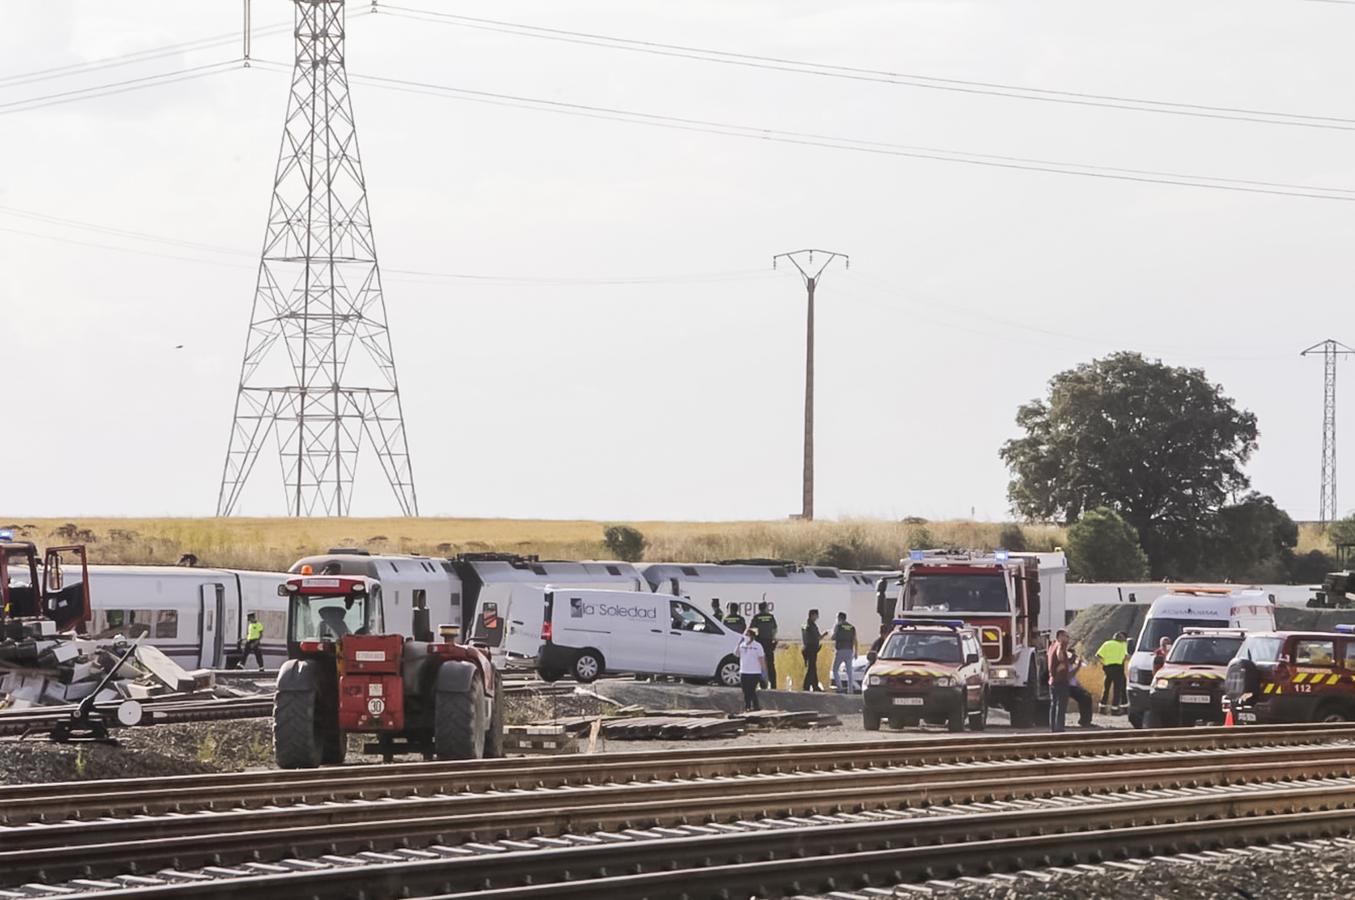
(319, 371)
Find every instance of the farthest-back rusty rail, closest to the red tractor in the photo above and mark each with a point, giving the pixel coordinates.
(185, 794)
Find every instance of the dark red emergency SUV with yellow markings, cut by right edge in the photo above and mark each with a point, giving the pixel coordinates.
(1293, 677)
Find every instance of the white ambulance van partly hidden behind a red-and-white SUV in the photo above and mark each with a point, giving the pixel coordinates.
(1247, 609)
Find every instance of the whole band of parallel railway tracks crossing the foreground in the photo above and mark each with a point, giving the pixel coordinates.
(453, 829)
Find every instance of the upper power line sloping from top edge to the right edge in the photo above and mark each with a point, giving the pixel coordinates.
(880, 77)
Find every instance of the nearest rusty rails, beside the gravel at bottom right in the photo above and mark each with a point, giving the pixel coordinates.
(780, 861)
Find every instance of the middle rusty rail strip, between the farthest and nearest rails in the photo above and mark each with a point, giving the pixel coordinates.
(51, 853)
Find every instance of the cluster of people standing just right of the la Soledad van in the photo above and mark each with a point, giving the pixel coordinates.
(758, 650)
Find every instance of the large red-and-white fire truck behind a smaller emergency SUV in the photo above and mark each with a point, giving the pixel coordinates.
(1013, 601)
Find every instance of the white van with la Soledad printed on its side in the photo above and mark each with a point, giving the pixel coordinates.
(590, 632)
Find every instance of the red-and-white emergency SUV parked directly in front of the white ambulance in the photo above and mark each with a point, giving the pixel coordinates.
(1189, 688)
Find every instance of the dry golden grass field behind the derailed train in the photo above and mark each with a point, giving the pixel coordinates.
(276, 543)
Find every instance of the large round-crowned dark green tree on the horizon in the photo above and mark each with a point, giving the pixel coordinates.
(1161, 445)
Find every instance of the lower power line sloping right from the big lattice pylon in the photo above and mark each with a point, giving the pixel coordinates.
(883, 148)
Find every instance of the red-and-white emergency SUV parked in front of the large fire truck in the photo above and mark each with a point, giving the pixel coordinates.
(927, 670)
